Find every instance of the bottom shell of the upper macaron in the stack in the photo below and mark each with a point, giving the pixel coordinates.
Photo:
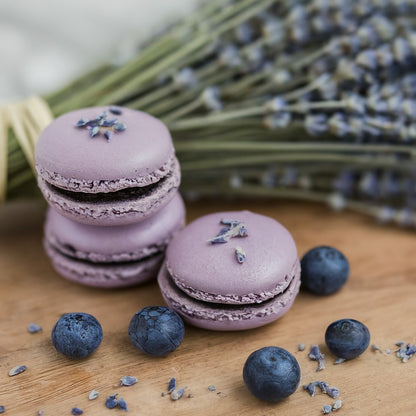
(113, 213)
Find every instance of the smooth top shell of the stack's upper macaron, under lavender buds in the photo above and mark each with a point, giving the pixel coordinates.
(70, 152)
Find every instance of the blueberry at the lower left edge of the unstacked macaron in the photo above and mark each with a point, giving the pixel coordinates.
(156, 330)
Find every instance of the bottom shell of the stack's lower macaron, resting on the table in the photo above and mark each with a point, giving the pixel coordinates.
(104, 276)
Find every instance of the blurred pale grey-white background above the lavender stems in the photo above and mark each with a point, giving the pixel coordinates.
(45, 43)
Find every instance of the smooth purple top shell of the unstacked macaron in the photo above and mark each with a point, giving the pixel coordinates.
(211, 272)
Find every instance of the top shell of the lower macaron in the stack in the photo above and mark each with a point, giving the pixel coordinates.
(118, 243)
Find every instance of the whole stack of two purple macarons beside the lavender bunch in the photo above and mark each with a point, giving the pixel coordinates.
(110, 176)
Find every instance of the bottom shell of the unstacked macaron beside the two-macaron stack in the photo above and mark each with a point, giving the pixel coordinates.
(220, 317)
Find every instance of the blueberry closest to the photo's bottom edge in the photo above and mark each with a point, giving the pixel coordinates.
(271, 373)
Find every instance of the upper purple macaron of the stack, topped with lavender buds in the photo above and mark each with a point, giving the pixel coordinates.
(107, 165)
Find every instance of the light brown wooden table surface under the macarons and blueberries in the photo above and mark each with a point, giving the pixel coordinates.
(381, 292)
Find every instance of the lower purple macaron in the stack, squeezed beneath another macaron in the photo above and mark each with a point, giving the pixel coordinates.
(112, 257)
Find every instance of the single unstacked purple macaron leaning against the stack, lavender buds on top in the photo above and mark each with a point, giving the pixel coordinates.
(231, 271)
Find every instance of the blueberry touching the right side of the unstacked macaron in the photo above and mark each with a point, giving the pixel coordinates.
(324, 270)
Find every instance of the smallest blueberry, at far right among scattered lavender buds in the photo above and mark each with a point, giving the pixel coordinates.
(347, 338)
